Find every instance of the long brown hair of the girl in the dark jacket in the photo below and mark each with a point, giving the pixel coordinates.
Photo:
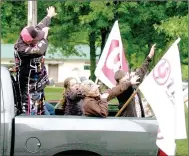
(66, 89)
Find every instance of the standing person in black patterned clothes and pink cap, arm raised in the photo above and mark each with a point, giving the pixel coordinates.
(31, 74)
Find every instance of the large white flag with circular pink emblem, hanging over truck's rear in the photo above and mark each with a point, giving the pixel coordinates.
(162, 89)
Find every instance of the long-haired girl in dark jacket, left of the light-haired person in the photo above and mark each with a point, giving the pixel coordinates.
(72, 99)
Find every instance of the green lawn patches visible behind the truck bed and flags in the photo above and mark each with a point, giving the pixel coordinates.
(54, 93)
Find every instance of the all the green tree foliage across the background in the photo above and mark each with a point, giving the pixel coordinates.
(141, 24)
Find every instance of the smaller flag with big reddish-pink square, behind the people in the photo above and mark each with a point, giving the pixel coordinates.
(112, 58)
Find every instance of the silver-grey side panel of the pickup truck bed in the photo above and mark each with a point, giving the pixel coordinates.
(48, 135)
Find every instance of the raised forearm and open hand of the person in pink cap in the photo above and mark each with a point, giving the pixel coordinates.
(47, 20)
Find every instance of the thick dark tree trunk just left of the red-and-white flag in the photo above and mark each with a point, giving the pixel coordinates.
(92, 40)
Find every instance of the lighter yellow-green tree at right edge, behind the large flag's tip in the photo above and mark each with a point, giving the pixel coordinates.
(174, 27)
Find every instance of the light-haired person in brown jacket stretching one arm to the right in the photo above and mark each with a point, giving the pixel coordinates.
(94, 103)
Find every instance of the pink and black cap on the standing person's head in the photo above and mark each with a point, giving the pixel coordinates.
(30, 33)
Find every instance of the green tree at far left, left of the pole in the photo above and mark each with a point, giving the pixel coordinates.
(13, 19)
